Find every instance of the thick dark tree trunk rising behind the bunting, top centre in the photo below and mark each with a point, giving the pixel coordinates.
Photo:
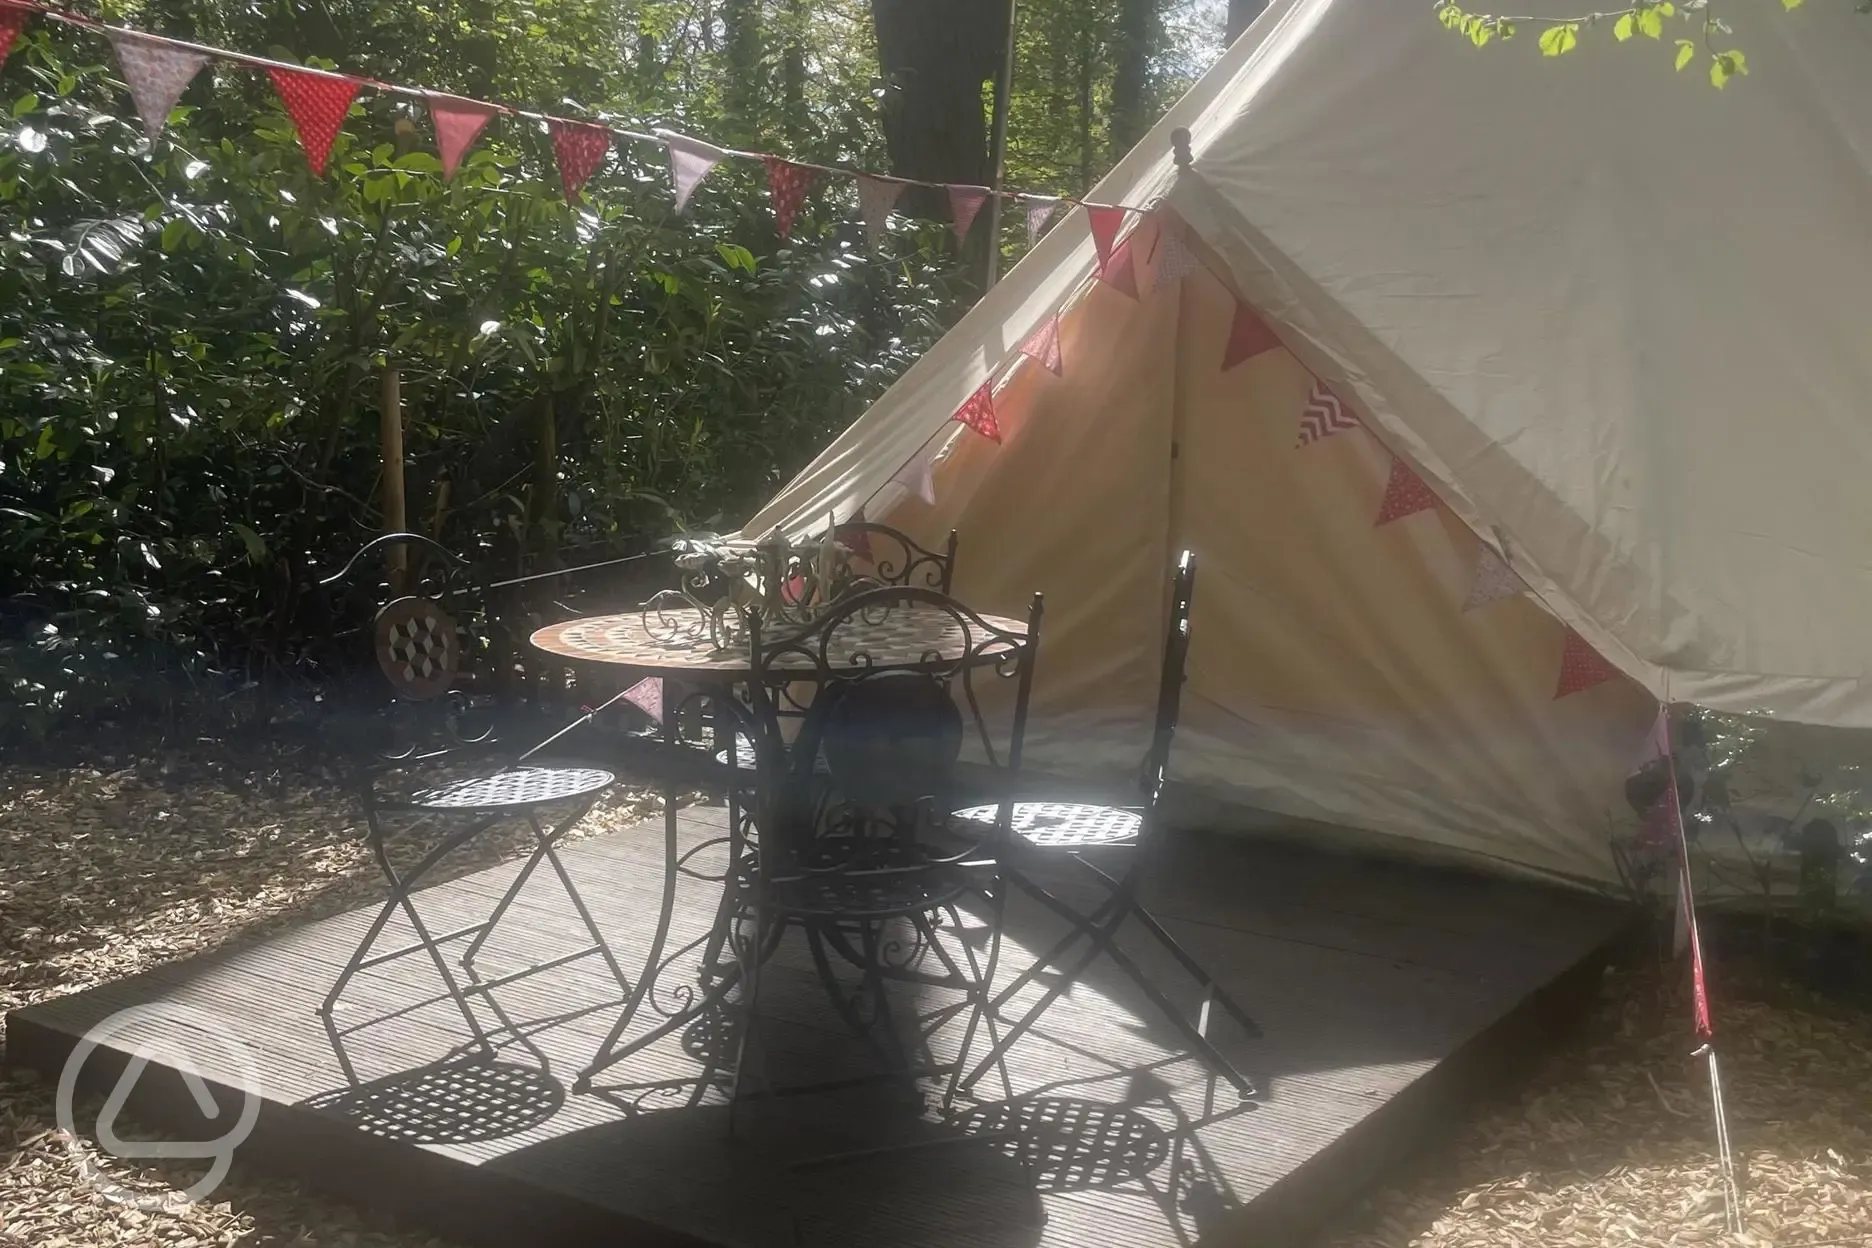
(935, 61)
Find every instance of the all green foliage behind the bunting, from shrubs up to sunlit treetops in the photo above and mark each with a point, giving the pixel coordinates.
(194, 330)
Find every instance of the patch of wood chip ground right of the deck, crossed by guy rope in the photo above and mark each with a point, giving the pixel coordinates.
(1615, 1142)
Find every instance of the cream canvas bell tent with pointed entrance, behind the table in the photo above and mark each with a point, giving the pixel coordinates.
(1568, 297)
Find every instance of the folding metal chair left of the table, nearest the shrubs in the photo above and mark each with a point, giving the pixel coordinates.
(428, 747)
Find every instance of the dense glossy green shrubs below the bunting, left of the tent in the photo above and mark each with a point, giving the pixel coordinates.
(192, 336)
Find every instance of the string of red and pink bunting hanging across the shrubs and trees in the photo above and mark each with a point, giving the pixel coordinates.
(158, 59)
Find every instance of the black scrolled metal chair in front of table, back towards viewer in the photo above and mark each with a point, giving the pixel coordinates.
(849, 804)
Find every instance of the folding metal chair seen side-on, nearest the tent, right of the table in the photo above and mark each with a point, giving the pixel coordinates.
(1068, 830)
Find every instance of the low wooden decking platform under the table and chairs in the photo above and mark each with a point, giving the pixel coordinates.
(1388, 994)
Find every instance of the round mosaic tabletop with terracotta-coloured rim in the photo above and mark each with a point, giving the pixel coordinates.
(675, 641)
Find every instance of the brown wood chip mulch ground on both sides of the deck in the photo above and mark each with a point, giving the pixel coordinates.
(110, 875)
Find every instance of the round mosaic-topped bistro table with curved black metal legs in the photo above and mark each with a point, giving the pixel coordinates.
(677, 645)
